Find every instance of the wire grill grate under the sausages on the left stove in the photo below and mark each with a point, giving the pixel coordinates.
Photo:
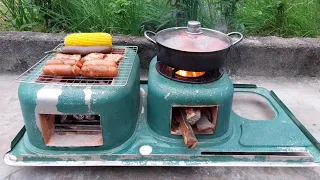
(35, 75)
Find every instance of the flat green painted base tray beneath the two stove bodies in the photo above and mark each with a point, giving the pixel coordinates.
(172, 151)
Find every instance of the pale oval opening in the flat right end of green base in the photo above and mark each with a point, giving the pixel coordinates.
(252, 106)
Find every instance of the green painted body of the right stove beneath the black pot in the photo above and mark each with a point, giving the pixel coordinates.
(164, 93)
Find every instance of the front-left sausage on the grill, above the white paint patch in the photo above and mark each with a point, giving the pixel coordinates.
(61, 70)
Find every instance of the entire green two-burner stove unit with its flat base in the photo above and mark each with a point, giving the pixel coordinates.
(170, 120)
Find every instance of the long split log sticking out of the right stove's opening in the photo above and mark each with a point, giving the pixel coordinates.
(186, 130)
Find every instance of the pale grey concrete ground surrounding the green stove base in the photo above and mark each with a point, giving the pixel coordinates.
(301, 95)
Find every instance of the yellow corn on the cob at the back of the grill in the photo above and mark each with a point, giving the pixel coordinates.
(88, 39)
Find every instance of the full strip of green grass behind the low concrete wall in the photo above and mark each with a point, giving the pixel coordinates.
(287, 18)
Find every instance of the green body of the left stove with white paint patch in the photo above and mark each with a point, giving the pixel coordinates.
(117, 106)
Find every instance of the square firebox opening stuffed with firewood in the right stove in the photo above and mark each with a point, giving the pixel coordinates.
(195, 119)
